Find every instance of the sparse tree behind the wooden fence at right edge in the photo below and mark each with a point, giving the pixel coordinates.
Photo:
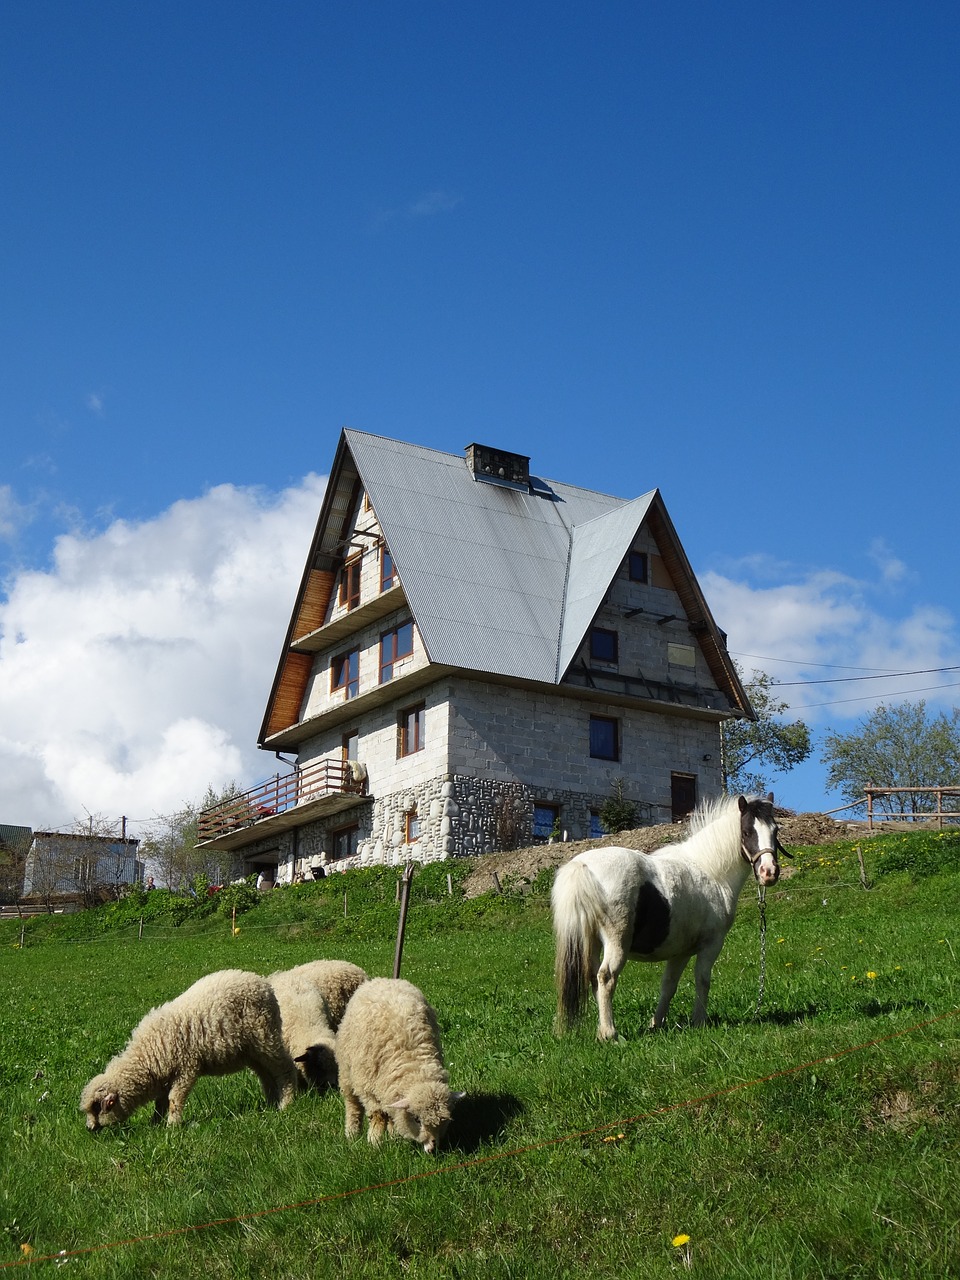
(897, 747)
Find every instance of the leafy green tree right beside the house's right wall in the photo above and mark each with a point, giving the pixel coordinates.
(752, 749)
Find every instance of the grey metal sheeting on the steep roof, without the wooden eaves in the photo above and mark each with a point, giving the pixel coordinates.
(484, 568)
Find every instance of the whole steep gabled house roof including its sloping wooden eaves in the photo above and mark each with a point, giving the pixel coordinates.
(500, 579)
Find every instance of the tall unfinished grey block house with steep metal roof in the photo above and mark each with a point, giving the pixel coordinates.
(477, 659)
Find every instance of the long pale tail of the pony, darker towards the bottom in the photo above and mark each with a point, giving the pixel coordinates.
(579, 909)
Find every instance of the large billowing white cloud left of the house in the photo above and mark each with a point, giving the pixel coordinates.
(136, 671)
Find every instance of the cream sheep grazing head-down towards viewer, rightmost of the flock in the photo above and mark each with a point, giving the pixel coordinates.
(391, 1064)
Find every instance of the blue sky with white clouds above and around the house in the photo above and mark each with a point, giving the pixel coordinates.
(703, 248)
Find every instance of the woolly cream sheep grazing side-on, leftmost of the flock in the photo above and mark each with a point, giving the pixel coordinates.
(225, 1023)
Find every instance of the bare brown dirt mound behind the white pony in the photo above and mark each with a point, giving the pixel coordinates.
(525, 865)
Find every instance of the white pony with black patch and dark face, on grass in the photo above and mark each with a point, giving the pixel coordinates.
(616, 904)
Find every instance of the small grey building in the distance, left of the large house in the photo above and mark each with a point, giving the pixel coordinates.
(80, 866)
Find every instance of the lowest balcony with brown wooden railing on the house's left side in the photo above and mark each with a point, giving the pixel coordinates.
(284, 802)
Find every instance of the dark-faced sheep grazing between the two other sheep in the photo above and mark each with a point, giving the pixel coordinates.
(313, 998)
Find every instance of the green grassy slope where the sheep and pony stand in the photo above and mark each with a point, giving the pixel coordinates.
(819, 1139)
